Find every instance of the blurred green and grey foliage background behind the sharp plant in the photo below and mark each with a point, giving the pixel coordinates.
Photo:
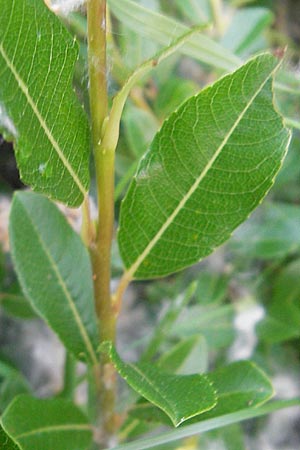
(244, 300)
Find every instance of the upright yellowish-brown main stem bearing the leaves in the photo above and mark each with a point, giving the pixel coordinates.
(101, 247)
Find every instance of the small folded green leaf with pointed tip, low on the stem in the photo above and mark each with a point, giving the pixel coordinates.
(180, 397)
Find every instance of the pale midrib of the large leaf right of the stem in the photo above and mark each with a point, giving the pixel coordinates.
(134, 267)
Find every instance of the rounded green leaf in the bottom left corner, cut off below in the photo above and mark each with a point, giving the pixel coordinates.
(46, 424)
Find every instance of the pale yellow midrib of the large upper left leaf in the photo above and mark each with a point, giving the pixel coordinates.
(22, 85)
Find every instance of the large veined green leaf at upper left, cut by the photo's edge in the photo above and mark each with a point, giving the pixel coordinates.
(37, 103)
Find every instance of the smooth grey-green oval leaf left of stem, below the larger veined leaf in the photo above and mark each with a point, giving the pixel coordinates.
(54, 271)
